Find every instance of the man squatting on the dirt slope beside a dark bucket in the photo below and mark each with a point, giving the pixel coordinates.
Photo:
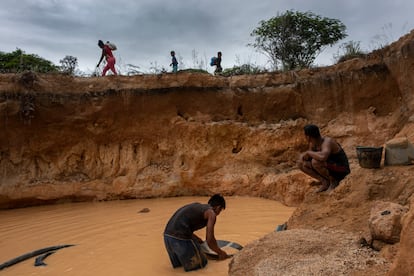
(325, 160)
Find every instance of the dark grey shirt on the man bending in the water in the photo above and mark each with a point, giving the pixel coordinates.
(186, 220)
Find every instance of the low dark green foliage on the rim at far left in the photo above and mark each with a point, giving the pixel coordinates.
(19, 61)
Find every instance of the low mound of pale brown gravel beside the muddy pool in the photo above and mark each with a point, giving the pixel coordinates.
(305, 252)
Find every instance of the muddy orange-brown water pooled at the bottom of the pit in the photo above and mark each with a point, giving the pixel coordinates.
(114, 238)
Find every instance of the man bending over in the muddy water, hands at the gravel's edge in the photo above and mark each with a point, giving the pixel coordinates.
(182, 245)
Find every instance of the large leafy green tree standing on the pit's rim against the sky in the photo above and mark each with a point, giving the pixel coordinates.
(294, 39)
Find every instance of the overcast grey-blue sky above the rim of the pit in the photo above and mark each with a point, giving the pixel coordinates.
(145, 31)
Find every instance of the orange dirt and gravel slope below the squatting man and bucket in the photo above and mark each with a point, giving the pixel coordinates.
(329, 233)
